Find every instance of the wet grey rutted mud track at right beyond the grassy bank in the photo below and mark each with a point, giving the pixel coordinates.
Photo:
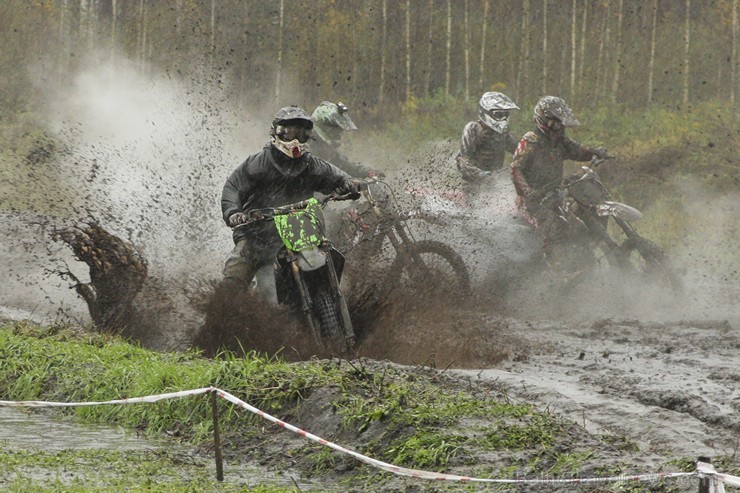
(669, 387)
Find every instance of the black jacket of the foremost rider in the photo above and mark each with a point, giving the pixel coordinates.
(271, 179)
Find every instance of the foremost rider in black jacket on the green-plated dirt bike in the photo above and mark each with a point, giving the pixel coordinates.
(283, 172)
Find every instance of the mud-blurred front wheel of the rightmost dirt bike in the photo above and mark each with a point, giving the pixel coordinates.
(651, 262)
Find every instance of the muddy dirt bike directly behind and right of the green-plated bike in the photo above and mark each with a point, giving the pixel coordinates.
(423, 266)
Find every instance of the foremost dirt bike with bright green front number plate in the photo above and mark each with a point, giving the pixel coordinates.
(308, 270)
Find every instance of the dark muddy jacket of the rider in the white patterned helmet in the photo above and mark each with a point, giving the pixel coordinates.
(482, 149)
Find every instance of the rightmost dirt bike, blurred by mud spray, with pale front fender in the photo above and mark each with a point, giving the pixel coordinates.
(587, 206)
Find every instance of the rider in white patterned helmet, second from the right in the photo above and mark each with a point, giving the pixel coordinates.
(486, 141)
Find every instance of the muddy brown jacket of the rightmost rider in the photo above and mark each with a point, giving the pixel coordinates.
(538, 162)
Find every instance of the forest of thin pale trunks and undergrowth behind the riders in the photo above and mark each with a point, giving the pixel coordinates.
(656, 81)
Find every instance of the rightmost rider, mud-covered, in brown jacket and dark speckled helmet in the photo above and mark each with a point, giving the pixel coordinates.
(537, 168)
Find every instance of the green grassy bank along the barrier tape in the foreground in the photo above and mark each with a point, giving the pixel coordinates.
(410, 418)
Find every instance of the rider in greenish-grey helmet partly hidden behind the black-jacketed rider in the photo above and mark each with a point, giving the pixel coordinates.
(331, 121)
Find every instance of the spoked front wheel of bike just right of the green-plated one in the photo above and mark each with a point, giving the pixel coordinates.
(430, 267)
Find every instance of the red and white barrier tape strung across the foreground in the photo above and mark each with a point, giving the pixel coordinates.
(703, 470)
